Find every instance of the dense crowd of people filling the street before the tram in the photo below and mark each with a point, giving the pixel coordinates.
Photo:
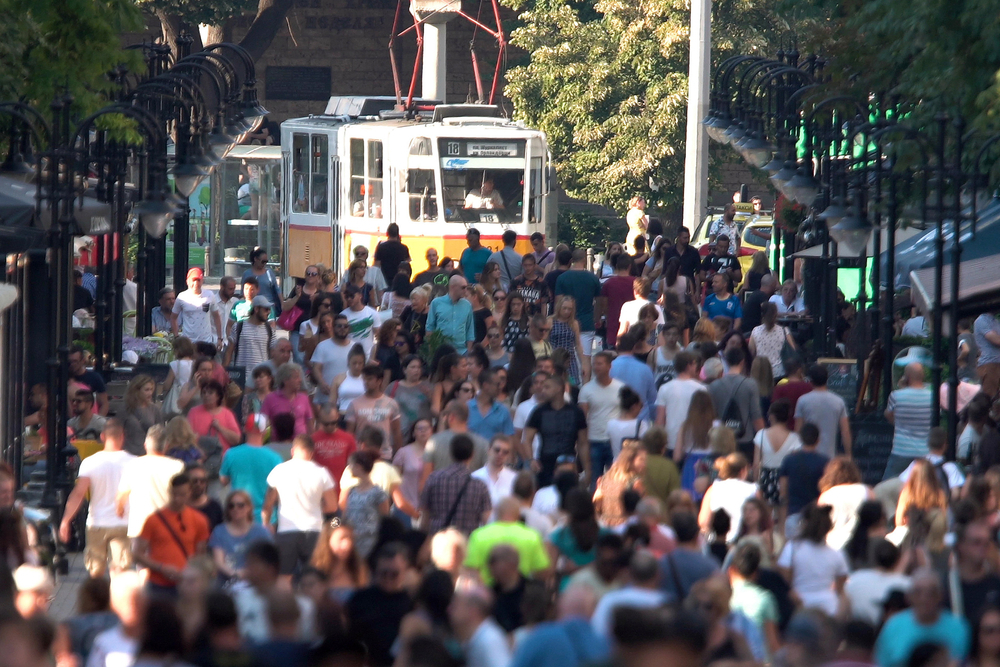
(511, 460)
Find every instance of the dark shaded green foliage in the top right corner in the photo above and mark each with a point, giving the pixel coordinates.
(930, 55)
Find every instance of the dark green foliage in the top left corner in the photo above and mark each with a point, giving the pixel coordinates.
(50, 47)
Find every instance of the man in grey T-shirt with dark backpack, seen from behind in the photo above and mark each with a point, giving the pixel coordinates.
(737, 402)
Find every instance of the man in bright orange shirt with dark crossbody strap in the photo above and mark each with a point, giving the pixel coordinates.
(170, 536)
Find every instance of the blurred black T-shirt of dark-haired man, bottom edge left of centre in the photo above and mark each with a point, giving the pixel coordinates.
(373, 617)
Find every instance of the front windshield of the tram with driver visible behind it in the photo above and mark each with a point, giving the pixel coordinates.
(482, 180)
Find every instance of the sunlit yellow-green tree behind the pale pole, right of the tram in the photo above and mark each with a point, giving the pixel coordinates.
(607, 81)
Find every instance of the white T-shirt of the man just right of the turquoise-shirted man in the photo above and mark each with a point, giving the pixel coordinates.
(300, 485)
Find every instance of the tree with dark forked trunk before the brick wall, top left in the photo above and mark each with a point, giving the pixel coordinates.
(177, 16)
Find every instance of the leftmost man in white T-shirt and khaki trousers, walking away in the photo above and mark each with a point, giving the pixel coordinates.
(100, 474)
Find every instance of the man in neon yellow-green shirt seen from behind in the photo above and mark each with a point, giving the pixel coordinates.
(509, 530)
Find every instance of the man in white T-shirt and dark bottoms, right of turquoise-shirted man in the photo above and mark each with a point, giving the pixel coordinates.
(303, 491)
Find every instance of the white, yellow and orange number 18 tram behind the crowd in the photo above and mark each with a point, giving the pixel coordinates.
(361, 165)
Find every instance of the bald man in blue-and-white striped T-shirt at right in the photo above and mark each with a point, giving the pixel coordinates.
(909, 410)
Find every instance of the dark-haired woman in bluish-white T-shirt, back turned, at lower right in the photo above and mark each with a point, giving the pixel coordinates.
(815, 571)
